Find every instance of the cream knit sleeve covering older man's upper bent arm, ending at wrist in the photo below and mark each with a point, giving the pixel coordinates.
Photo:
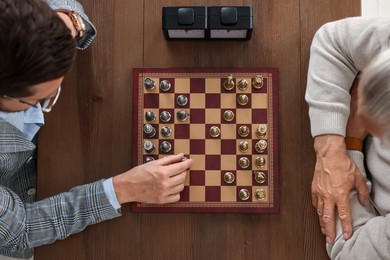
(338, 52)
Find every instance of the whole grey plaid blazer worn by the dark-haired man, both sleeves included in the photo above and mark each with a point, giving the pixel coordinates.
(25, 224)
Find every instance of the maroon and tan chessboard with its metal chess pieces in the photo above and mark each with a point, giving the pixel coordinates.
(226, 120)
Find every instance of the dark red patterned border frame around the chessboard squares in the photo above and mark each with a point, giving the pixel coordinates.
(210, 207)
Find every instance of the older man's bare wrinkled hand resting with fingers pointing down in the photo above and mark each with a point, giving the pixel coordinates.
(335, 175)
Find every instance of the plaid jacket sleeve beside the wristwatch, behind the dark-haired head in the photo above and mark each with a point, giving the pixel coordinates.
(90, 32)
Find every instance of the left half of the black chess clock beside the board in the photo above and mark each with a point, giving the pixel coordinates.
(187, 22)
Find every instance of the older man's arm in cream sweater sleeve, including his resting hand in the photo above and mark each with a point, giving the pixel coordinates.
(339, 51)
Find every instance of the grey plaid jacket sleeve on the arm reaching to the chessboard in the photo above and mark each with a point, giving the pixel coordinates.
(28, 225)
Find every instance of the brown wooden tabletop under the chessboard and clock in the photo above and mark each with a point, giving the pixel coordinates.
(87, 136)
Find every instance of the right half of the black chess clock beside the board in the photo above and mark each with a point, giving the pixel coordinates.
(230, 22)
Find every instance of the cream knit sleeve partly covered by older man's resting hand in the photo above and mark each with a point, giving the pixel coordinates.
(371, 232)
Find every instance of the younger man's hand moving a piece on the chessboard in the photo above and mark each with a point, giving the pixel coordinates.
(159, 181)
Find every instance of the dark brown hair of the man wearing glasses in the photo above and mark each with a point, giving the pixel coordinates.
(35, 46)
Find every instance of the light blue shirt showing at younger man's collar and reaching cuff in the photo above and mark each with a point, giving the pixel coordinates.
(29, 122)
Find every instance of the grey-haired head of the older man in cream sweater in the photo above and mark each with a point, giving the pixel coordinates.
(374, 97)
